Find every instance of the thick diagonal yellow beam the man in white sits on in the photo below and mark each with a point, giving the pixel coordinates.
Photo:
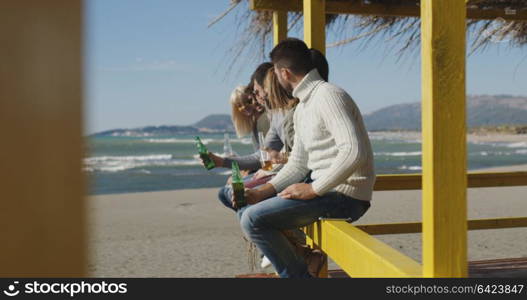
(359, 254)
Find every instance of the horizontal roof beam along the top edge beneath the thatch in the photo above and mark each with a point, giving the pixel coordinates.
(360, 8)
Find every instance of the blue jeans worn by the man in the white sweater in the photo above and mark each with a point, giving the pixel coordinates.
(263, 222)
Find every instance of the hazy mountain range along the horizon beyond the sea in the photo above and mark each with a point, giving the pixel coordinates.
(483, 110)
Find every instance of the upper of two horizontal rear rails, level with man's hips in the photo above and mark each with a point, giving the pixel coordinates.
(393, 182)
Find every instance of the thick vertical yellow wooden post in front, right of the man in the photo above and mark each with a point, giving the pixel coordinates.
(444, 141)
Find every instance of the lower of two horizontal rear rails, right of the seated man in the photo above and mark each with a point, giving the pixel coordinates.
(415, 227)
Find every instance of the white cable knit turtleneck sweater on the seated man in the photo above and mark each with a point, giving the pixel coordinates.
(331, 140)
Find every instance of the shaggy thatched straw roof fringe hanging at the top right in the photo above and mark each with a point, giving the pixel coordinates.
(401, 34)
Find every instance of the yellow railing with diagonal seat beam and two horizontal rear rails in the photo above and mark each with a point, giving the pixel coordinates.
(359, 254)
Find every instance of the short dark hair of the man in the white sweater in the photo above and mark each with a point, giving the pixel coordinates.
(293, 54)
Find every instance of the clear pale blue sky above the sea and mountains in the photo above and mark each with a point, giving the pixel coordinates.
(156, 63)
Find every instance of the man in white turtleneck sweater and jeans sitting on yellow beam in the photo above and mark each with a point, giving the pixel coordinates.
(332, 141)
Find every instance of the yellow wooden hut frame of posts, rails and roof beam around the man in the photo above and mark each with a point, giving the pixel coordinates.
(444, 180)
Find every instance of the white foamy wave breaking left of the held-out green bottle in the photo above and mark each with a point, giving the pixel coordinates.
(122, 163)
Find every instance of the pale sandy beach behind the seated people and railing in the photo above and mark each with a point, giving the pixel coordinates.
(189, 233)
